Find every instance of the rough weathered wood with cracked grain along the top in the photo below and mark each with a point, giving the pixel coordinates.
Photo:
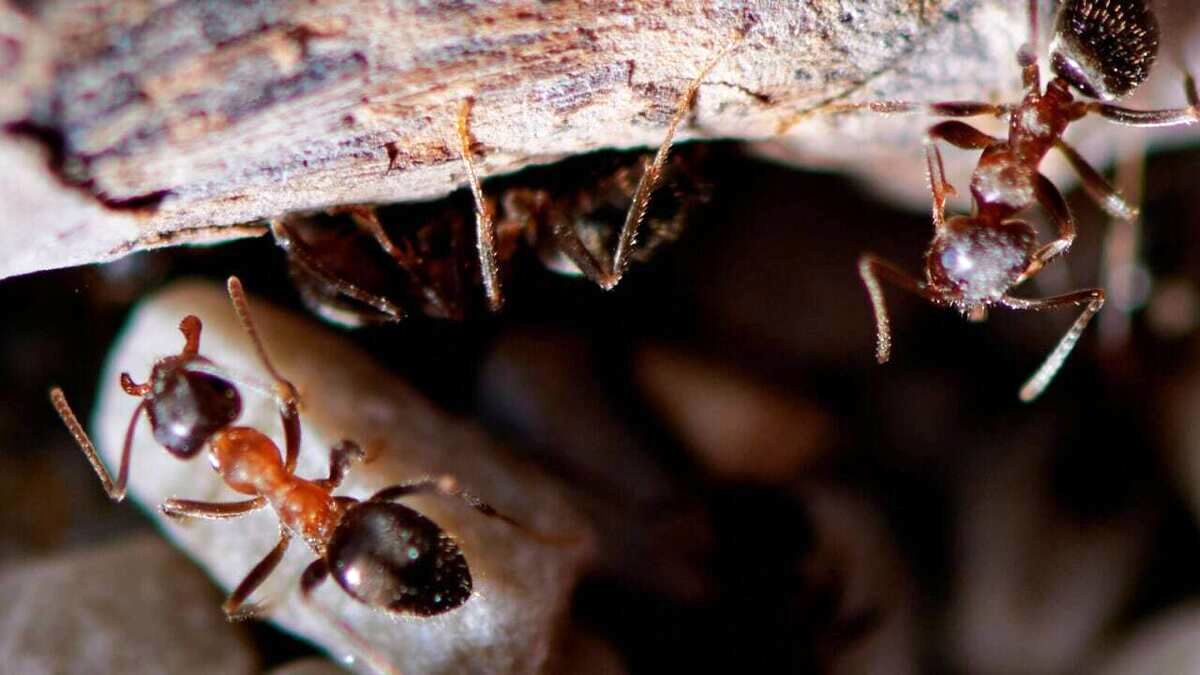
(142, 124)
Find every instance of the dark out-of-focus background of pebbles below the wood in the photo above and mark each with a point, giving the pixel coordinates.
(765, 492)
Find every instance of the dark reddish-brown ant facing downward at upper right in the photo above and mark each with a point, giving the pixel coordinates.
(1102, 49)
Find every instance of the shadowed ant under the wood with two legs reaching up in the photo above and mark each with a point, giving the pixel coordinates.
(560, 226)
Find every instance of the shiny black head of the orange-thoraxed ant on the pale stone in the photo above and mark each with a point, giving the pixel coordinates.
(187, 407)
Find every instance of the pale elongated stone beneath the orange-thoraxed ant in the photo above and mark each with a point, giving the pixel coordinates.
(518, 616)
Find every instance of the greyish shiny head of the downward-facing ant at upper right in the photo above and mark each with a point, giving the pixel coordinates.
(974, 262)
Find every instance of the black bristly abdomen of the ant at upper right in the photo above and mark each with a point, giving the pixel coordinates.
(1105, 50)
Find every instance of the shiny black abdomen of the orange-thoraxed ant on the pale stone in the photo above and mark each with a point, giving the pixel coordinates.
(389, 557)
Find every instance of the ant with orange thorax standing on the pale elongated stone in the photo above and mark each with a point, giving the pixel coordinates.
(383, 554)
